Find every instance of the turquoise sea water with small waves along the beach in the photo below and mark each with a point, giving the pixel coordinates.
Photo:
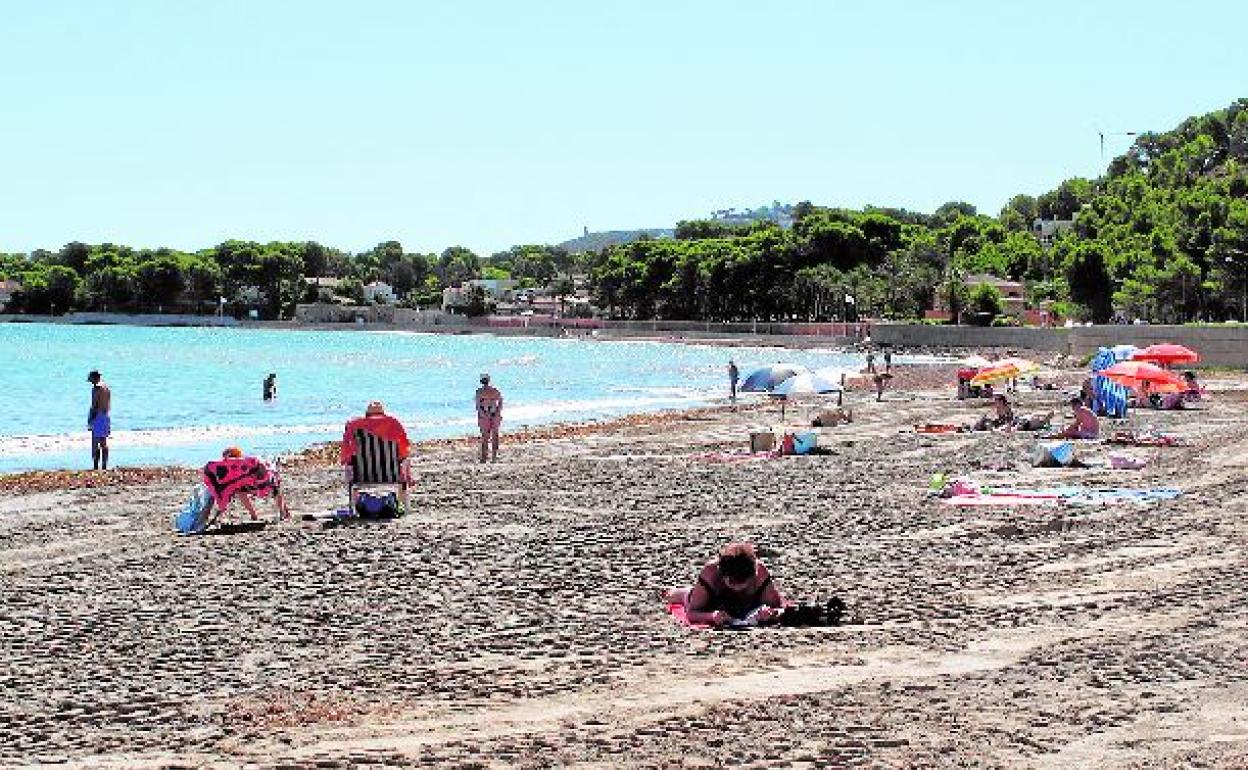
(180, 395)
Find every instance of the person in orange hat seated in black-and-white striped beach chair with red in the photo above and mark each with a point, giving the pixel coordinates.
(375, 454)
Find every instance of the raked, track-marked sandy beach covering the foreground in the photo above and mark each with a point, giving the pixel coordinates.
(514, 620)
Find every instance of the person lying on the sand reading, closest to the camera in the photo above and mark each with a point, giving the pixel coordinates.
(736, 588)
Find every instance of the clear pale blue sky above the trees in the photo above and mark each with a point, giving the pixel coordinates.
(497, 123)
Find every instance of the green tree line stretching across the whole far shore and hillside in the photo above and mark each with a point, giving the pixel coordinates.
(1161, 236)
